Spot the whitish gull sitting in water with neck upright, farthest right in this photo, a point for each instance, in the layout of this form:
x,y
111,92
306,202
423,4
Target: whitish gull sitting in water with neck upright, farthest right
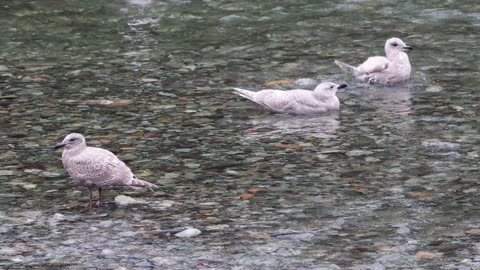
x,y
392,69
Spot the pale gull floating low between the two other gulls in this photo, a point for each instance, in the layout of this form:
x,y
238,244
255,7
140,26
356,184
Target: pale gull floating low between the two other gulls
x,y
298,101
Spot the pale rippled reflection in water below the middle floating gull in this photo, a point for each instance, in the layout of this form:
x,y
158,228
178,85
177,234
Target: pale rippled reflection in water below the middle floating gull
x,y
278,125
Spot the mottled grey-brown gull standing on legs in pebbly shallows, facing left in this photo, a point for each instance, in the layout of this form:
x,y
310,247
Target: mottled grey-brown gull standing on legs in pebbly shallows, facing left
x,y
94,167
